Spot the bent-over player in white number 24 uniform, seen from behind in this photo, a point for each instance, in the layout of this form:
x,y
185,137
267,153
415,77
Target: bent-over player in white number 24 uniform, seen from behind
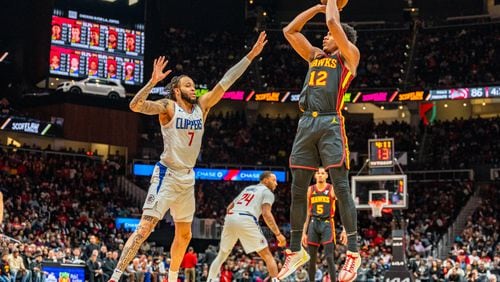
x,y
242,222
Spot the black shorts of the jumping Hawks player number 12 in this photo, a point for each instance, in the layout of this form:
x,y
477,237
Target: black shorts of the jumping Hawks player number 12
x,y
320,140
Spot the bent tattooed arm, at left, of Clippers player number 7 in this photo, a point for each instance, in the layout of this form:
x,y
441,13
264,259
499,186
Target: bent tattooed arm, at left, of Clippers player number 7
x,y
139,103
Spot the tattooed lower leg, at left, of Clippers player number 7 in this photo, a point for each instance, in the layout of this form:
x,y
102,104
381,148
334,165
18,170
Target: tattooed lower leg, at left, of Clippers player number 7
x,y
135,241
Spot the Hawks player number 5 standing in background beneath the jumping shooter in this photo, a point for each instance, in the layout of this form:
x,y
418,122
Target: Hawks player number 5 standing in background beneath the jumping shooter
x,y
319,228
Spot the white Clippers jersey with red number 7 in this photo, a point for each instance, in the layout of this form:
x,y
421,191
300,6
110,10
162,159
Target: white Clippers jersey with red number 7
x,y
182,138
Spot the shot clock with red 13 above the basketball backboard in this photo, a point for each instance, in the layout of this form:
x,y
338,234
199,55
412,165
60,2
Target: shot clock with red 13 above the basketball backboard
x,y
381,152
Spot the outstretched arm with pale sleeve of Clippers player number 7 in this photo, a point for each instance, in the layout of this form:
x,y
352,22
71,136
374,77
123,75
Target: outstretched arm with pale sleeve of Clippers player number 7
x,y
213,97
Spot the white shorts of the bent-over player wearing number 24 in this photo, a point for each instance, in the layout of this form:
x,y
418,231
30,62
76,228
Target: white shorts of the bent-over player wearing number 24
x,y
246,228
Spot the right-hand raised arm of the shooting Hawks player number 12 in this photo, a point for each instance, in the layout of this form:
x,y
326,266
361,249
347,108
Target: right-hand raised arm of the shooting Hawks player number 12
x,y
348,50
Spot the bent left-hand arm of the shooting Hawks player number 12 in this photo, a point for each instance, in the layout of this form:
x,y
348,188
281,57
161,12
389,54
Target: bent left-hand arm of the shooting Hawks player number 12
x,y
294,36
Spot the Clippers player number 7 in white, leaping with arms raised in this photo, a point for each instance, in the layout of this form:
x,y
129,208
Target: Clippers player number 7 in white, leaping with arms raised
x,y
182,118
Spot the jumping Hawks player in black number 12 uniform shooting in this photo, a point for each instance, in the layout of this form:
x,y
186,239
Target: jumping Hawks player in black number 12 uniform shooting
x,y
321,134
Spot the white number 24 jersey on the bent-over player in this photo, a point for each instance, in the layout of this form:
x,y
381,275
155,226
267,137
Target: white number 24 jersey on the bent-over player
x,y
251,199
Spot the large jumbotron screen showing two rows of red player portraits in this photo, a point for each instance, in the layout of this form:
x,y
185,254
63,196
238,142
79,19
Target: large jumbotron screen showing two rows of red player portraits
x,y
89,46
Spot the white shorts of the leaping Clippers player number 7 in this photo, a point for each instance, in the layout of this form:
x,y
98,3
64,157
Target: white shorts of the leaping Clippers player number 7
x,y
171,189
